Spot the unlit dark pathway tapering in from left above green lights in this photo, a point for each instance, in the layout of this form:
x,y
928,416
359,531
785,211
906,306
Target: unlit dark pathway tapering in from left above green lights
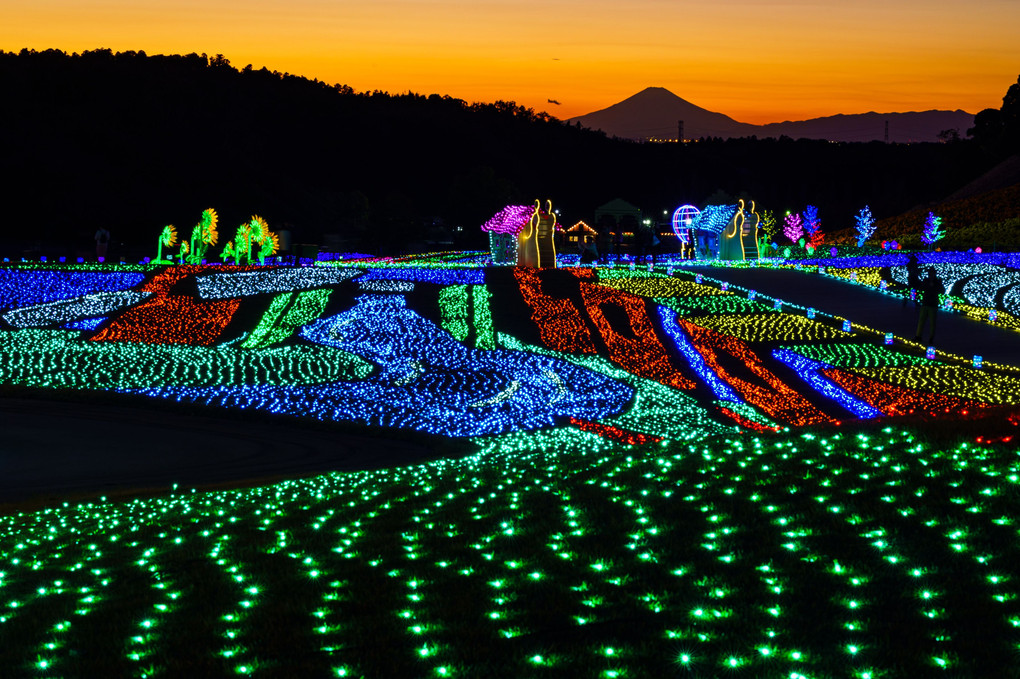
x,y
53,450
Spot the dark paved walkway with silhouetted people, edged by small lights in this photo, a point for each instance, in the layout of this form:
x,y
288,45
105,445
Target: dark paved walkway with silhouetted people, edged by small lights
x,y
955,333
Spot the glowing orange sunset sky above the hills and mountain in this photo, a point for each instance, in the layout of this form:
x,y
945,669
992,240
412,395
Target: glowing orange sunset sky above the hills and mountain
x,y
756,61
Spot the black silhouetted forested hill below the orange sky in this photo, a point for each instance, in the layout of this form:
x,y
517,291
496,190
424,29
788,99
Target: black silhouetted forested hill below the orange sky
x,y
134,142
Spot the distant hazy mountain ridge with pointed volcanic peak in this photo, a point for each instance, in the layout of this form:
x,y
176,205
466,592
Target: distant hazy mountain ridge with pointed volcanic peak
x,y
653,115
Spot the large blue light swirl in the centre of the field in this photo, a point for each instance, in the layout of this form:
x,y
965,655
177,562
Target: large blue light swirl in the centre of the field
x,y
427,381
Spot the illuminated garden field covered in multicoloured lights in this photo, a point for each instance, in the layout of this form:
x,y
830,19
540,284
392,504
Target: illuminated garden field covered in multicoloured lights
x,y
668,476
